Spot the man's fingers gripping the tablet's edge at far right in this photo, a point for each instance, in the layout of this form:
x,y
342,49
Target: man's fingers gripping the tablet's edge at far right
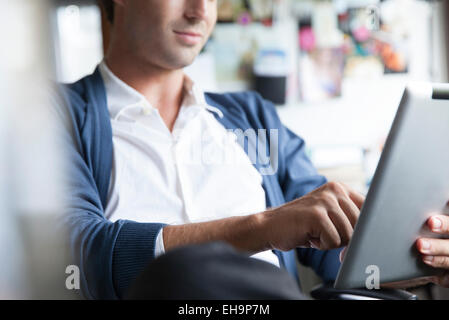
x,y
435,252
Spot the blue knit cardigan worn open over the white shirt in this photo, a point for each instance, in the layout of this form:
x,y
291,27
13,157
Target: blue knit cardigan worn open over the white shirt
x,y
111,255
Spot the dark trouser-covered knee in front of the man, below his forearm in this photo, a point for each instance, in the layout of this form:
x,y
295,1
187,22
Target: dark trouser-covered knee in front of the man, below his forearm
x,y
213,271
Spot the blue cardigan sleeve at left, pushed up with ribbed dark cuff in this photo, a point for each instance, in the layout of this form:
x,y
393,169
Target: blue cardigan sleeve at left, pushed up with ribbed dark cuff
x,y
109,255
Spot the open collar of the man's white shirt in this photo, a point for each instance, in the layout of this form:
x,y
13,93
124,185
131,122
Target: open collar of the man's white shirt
x,y
121,96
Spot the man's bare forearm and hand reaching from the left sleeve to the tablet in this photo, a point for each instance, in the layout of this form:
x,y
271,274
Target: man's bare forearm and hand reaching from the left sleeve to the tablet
x,y
323,219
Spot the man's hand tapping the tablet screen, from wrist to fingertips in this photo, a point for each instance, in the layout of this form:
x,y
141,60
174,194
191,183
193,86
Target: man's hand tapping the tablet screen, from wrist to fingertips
x,y
323,219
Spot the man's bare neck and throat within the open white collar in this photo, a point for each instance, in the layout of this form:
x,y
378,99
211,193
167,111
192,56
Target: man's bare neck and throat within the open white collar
x,y
162,88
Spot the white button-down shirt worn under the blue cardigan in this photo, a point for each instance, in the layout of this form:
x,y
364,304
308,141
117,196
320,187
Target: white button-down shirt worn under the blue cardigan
x,y
196,173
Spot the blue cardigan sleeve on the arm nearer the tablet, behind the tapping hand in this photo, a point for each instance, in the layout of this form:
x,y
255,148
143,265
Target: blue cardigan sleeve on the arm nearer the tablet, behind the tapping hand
x,y
297,177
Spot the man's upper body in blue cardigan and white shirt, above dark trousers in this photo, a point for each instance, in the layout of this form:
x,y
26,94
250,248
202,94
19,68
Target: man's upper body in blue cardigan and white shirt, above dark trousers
x,y
136,120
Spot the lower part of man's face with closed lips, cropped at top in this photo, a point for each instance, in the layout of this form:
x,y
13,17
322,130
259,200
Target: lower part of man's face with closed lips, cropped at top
x,y
167,33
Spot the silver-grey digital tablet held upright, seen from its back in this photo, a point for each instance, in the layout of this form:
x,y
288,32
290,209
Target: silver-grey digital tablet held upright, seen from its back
x,y
411,183
